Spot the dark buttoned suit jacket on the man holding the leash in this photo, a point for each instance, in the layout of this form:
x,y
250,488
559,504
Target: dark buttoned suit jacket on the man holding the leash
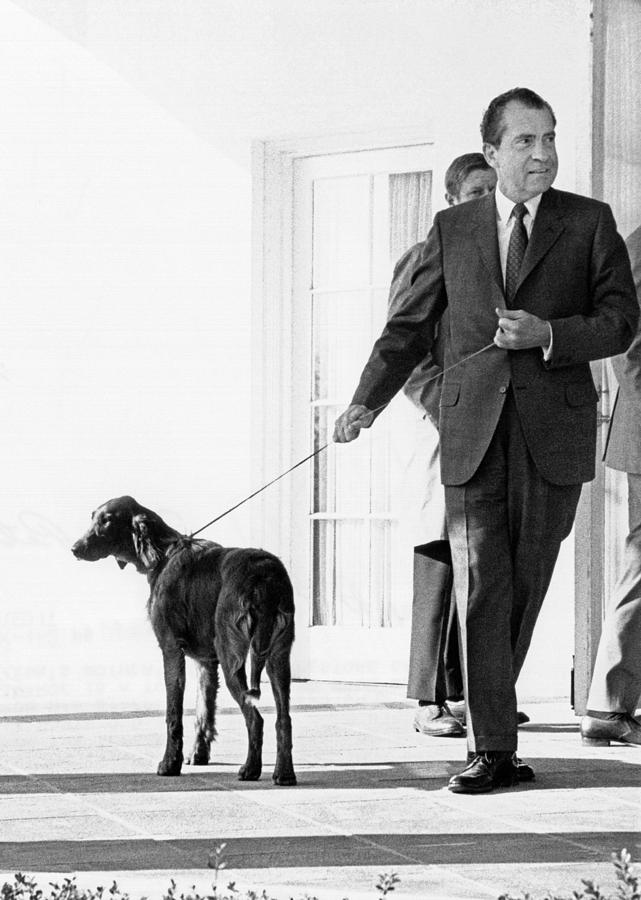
x,y
576,274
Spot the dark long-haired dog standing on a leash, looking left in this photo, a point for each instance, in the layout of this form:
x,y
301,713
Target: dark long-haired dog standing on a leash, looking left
x,y
216,605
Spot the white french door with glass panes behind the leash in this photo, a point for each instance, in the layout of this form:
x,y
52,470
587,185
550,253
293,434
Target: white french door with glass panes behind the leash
x,y
351,561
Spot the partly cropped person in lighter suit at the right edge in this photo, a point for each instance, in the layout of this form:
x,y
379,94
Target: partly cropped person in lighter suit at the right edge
x,y
615,690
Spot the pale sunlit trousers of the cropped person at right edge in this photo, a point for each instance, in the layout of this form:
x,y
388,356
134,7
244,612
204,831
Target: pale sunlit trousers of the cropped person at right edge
x,y
616,680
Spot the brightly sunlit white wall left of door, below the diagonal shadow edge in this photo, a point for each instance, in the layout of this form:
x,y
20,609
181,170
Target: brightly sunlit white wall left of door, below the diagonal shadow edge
x,y
124,278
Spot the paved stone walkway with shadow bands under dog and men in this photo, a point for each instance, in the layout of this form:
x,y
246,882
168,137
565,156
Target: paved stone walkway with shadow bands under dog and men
x,y
78,794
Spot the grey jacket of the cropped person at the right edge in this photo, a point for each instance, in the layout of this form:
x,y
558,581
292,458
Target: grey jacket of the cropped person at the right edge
x,y
623,448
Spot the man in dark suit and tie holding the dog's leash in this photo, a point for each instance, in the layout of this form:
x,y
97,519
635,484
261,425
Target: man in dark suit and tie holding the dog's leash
x,y
538,280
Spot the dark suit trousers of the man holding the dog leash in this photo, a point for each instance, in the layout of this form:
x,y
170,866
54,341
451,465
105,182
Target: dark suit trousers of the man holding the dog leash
x,y
505,527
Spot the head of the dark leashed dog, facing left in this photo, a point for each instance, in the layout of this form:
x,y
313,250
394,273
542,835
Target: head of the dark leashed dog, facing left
x,y
124,529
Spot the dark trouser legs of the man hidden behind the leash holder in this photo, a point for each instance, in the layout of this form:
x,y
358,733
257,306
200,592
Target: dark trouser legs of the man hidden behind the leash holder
x,y
434,669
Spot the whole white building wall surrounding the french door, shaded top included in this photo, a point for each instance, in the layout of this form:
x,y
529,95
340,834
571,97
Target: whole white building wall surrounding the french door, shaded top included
x,y
125,224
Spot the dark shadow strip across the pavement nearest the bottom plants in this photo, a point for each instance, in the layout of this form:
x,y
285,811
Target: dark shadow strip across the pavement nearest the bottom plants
x,y
316,851
